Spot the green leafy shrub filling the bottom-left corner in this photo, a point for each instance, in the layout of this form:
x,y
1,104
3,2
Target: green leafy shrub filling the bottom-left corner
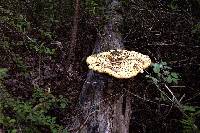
x,y
17,115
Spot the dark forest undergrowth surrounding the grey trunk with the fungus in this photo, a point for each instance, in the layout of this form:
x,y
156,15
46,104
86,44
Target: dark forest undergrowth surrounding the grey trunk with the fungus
x,y
38,93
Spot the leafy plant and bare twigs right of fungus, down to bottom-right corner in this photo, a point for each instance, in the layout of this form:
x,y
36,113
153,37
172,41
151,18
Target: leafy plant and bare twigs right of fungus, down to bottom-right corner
x,y
162,76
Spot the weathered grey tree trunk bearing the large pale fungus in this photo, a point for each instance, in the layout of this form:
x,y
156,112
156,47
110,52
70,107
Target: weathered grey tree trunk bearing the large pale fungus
x,y
102,115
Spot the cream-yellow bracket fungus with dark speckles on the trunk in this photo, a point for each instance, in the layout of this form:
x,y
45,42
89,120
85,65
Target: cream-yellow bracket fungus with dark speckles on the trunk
x,y
119,63
